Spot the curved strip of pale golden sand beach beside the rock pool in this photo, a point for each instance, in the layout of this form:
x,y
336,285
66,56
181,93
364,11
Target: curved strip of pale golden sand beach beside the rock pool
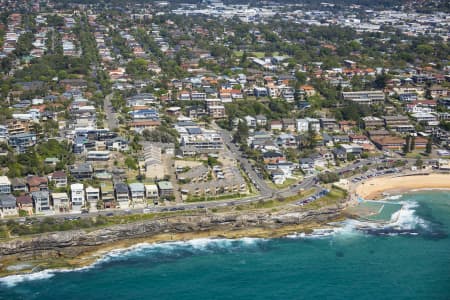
x,y
373,188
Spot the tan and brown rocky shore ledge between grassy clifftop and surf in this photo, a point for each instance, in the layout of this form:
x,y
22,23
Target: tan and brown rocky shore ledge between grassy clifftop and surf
x,y
83,249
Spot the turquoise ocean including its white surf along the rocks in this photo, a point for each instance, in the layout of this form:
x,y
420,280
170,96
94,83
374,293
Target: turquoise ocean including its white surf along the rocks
x,y
408,259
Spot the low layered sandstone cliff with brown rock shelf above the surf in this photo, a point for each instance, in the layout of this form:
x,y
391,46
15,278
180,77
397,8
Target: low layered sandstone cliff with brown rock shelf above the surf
x,y
78,243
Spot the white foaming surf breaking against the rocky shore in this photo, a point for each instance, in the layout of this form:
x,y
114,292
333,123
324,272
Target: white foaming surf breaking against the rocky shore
x,y
405,221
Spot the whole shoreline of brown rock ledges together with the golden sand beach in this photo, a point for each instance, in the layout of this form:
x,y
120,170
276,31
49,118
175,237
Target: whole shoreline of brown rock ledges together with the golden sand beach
x,y
69,251
